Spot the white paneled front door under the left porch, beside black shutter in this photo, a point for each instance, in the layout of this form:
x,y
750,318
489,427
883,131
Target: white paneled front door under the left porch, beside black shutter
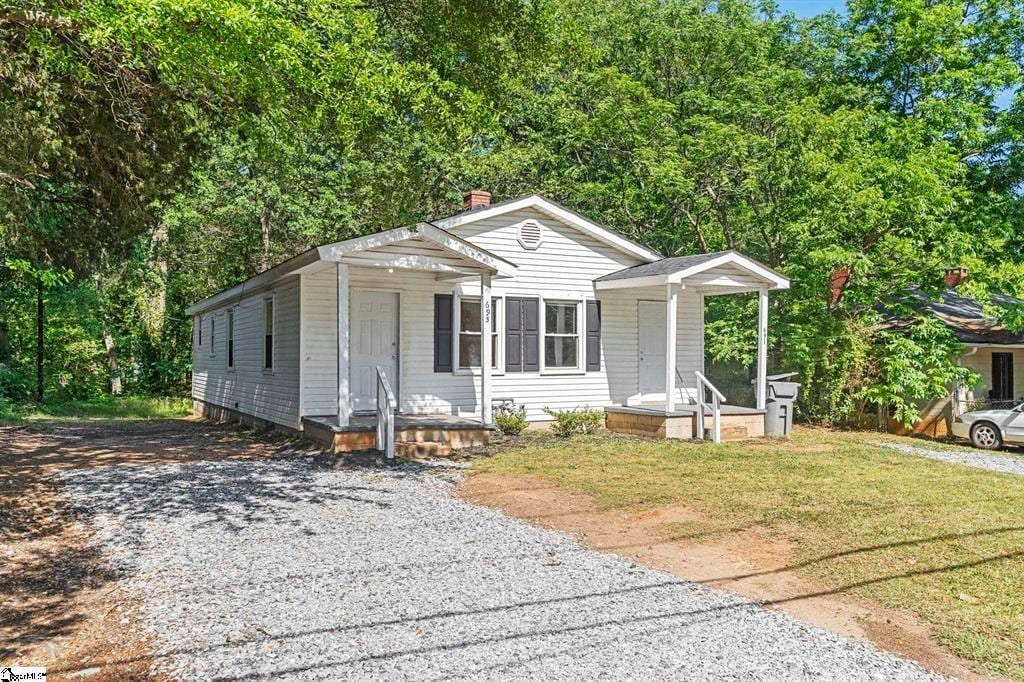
x,y
374,339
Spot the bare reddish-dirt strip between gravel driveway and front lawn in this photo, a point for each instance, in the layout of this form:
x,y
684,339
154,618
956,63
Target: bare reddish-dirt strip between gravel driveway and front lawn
x,y
748,562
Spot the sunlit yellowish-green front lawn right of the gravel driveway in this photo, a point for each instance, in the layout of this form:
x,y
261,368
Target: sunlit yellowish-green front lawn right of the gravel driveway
x,y
944,541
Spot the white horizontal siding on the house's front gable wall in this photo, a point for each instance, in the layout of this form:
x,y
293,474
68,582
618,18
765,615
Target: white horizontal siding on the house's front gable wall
x,y
563,269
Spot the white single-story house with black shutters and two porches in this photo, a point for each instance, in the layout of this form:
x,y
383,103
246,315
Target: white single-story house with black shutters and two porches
x,y
521,303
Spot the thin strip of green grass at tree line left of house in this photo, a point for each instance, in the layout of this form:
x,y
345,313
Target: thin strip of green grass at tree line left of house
x,y
120,409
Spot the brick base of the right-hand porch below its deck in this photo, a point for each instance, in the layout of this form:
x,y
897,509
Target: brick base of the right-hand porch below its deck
x,y
738,423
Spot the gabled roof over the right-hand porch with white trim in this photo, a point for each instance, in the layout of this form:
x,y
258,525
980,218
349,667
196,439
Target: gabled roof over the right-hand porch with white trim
x,y
726,272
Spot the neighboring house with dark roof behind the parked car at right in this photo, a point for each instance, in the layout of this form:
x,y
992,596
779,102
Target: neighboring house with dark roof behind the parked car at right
x,y
991,351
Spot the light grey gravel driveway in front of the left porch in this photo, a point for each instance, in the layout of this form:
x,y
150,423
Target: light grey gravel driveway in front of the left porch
x,y
292,570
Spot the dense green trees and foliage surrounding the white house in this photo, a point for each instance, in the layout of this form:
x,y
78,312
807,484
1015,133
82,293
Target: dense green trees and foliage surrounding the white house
x,y
157,153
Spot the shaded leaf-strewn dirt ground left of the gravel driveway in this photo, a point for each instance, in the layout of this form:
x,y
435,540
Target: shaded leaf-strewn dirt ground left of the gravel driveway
x,y
61,604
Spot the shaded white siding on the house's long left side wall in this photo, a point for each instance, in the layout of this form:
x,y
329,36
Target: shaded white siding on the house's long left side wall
x,y
247,389
